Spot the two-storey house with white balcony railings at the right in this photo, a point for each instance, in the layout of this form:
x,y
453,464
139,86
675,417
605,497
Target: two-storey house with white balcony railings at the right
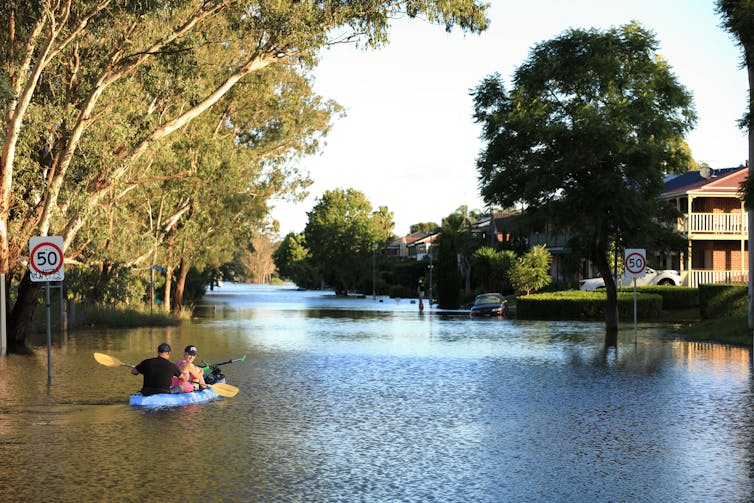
x,y
714,222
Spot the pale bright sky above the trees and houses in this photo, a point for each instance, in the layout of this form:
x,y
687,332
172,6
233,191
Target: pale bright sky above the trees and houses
x,y
409,141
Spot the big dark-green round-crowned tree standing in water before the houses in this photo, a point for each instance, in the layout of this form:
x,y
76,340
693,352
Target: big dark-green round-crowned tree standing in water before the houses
x,y
592,122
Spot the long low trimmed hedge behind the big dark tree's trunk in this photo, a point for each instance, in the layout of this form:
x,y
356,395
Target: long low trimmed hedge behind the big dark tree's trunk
x,y
578,305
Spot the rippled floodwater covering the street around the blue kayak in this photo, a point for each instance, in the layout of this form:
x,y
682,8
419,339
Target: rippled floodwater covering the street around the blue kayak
x,y
367,400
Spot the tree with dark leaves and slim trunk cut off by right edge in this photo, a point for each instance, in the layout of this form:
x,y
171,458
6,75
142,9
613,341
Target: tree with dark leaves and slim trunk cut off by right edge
x,y
738,19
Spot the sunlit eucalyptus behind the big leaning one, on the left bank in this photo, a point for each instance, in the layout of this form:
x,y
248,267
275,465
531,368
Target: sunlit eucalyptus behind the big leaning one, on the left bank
x,y
229,163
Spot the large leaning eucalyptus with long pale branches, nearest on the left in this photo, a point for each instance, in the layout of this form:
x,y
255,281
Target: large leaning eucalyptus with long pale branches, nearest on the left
x,y
63,59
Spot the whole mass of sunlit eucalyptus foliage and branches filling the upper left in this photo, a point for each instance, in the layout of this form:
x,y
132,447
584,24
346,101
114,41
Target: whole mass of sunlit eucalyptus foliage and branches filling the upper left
x,y
158,131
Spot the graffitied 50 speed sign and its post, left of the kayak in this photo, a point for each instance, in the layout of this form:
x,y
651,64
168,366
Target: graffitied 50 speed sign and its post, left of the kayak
x,y
46,265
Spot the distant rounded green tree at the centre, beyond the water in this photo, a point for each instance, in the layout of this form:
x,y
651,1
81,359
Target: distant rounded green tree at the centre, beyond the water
x,y
342,232
